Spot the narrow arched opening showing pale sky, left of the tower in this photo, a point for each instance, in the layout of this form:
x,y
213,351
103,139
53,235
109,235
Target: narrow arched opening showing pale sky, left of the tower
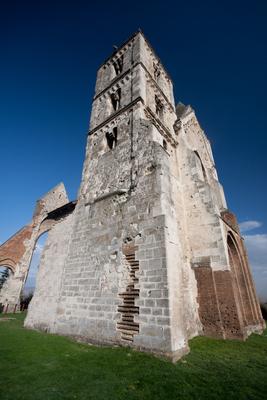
x,y
30,283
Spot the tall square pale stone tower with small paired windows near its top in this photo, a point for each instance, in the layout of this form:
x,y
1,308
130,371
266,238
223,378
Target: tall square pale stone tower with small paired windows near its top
x,y
127,199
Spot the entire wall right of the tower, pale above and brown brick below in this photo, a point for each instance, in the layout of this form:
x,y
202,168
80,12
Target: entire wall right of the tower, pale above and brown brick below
x,y
227,301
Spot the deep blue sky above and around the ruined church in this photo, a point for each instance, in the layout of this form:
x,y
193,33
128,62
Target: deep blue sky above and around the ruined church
x,y
214,51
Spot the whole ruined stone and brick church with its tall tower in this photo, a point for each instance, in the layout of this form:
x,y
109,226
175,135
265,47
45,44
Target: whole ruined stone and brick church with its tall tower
x,y
149,255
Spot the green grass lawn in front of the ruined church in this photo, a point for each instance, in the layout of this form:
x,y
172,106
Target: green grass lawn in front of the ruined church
x,y
36,365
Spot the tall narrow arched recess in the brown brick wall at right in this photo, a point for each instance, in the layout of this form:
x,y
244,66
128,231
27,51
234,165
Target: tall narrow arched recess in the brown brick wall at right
x,y
240,279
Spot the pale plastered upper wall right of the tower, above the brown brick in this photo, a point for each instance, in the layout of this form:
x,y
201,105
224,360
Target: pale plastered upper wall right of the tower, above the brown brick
x,y
203,196
